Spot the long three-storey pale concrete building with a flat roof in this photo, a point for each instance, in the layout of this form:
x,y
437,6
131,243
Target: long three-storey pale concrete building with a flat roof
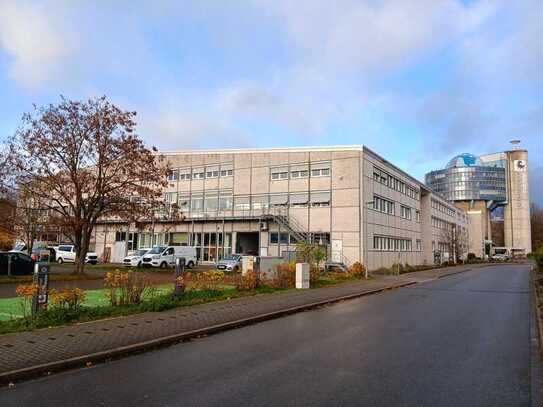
x,y
262,201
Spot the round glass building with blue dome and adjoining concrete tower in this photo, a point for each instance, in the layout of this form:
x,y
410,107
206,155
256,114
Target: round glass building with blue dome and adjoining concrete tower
x,y
481,184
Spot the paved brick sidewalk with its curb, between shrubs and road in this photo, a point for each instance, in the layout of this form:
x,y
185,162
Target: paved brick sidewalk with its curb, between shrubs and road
x,y
30,353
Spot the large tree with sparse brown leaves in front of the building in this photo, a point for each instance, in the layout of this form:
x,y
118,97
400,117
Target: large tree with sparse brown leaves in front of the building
x,y
85,163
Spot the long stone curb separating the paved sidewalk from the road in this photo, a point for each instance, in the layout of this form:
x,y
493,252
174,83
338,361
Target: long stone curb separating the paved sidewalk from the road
x,y
33,371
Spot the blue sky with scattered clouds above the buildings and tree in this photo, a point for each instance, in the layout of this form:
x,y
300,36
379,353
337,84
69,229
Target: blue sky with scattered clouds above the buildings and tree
x,y
417,81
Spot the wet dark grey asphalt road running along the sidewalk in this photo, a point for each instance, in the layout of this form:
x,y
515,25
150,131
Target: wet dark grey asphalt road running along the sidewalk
x,y
460,341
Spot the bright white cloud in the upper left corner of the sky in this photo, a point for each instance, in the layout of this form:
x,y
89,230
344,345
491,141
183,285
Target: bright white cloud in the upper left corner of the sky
x,y
32,36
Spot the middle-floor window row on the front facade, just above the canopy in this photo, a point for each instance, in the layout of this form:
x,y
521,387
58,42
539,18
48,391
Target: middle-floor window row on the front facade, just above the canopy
x,y
224,200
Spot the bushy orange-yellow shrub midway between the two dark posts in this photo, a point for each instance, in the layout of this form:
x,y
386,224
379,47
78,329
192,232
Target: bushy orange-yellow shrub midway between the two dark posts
x,y
127,288
